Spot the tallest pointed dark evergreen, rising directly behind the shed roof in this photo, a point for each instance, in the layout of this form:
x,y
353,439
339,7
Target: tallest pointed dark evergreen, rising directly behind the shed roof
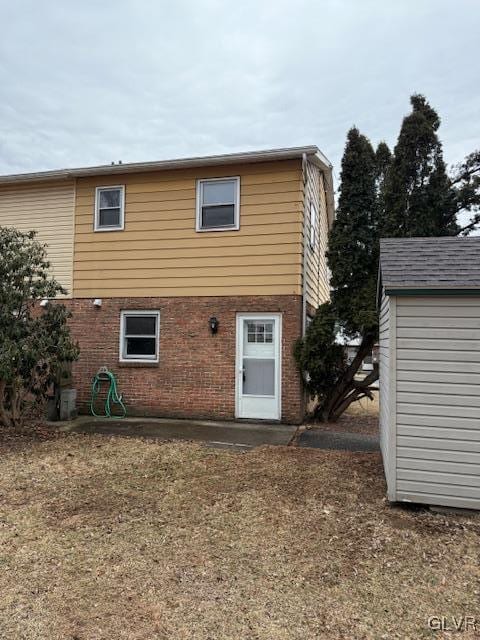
x,y
419,199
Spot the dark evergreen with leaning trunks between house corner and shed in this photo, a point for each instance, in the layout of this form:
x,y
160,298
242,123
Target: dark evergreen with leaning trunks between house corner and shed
x,y
353,261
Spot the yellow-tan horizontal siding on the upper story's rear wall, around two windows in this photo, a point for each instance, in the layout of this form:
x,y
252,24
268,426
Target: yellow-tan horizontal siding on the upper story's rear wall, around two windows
x,y
160,253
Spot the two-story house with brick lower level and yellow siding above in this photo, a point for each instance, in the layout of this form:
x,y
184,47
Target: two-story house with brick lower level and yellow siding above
x,y
190,279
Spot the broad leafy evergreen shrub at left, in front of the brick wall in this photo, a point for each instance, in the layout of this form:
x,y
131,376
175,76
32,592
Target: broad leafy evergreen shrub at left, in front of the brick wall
x,y
33,344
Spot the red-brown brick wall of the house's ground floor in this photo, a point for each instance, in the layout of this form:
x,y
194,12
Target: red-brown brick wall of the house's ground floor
x,y
195,377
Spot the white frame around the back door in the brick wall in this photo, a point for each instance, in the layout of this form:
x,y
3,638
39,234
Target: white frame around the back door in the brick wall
x,y
240,317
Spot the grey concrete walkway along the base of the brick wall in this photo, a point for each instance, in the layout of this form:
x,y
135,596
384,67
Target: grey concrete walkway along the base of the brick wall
x,y
231,435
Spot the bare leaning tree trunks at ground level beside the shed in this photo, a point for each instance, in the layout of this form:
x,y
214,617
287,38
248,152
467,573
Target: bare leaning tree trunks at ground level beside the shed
x,y
348,389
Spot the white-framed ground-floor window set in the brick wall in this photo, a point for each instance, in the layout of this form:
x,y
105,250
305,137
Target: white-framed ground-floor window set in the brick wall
x,y
139,336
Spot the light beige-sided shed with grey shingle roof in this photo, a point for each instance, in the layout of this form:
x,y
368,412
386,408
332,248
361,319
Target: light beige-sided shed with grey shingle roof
x,y
429,301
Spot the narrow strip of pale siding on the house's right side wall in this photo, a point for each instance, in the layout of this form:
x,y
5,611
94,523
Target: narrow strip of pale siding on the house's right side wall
x,y
316,279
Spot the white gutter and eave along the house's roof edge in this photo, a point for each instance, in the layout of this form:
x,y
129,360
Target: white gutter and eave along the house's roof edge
x,y
290,153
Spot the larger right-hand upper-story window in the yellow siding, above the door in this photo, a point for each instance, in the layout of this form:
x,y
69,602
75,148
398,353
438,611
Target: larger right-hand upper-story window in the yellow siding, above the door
x,y
218,204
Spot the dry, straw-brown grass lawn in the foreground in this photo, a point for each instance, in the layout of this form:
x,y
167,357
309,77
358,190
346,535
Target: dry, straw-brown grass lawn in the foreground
x,y
119,538
